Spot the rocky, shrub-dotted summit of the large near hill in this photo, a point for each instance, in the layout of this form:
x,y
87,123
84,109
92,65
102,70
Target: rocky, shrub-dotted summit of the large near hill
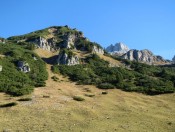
x,y
68,42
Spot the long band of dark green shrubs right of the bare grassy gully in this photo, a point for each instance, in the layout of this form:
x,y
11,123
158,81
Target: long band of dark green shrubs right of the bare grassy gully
x,y
136,77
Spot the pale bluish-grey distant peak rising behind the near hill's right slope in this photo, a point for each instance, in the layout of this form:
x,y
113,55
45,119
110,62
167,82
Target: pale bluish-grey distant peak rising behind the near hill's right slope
x,y
117,49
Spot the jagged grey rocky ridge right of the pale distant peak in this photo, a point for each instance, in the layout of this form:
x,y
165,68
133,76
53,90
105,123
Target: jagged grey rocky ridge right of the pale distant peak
x,y
145,56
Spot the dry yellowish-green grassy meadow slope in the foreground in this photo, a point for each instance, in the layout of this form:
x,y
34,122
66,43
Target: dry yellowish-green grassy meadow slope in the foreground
x,y
116,111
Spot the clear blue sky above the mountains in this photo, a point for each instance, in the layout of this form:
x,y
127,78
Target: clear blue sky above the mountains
x,y
140,24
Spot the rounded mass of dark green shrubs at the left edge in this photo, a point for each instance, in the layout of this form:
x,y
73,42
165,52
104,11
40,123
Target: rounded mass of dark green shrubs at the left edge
x,y
15,82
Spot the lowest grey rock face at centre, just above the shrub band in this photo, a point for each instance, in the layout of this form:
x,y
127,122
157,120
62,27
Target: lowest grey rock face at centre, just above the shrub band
x,y
64,59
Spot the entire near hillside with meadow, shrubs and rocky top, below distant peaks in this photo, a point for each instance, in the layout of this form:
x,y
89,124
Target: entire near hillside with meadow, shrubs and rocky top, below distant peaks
x,y
56,79
